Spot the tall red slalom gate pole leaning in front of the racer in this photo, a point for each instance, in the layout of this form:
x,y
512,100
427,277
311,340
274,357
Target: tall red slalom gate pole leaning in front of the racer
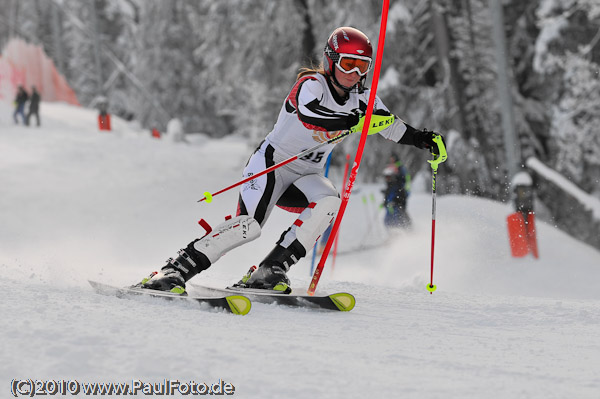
x,y
359,152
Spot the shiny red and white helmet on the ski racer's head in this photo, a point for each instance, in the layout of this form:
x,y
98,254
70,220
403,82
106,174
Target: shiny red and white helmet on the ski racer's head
x,y
345,40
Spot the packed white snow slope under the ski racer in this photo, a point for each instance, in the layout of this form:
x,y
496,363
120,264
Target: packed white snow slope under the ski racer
x,y
80,204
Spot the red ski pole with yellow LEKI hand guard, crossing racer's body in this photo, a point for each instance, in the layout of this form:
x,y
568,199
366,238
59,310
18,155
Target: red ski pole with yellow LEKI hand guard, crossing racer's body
x,y
379,122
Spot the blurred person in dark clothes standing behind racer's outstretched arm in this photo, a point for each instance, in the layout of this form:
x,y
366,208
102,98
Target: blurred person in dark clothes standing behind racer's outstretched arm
x,y
395,194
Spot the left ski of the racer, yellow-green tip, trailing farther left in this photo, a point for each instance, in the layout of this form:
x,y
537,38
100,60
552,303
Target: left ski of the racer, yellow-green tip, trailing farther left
x,y
234,303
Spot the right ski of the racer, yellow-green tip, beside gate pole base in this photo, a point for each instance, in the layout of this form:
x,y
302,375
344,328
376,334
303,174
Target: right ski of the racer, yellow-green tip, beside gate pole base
x,y
340,301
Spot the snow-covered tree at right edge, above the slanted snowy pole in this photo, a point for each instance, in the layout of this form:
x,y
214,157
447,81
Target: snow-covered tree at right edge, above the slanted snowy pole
x,y
572,58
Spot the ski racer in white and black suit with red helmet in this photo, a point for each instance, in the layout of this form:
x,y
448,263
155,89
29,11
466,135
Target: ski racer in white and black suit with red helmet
x,y
323,103
